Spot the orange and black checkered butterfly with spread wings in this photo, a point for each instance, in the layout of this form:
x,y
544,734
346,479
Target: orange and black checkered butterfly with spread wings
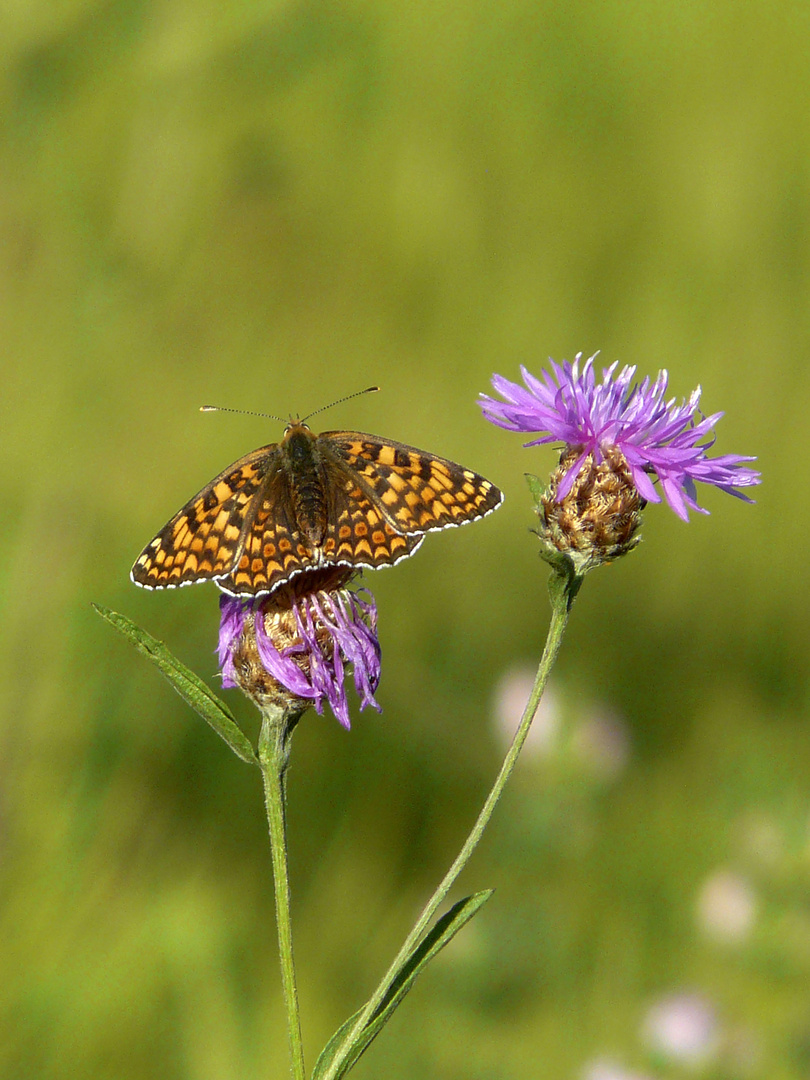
x,y
309,504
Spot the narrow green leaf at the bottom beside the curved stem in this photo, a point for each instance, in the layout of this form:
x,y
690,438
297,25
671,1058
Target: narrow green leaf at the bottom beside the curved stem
x,y
435,941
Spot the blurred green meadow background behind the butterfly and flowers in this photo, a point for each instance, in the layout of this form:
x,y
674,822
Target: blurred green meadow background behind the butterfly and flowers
x,y
269,206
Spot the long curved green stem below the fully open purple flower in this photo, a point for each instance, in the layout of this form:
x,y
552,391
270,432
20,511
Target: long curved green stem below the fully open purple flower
x,y
563,590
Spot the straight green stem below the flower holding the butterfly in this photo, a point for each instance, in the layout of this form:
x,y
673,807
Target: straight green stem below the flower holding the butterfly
x,y
274,752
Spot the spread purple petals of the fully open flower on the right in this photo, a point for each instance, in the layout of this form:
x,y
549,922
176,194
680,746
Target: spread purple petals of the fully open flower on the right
x,y
655,437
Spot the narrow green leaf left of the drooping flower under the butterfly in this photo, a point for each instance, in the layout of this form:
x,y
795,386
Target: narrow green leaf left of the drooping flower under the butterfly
x,y
186,683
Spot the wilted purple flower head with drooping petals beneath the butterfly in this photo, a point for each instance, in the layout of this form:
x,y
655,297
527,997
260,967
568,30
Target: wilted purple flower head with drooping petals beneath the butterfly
x,y
293,651
